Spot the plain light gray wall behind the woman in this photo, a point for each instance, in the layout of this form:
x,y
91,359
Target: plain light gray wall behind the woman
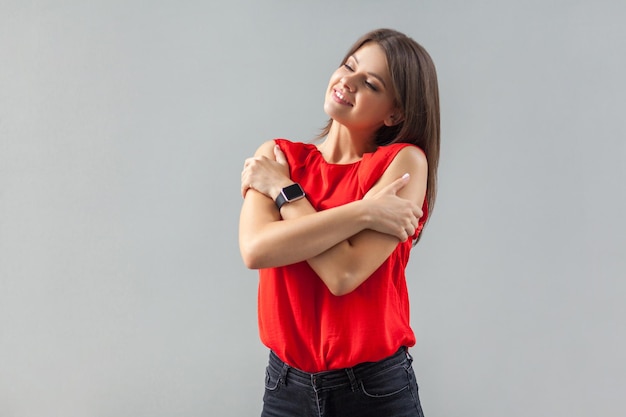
x,y
123,129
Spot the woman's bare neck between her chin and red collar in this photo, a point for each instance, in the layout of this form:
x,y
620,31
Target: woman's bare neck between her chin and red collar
x,y
344,146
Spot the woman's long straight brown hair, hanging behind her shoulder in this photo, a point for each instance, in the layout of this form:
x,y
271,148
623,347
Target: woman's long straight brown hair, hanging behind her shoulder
x,y
414,80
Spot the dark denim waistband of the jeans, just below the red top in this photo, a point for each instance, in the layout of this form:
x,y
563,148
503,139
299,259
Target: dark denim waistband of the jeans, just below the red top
x,y
334,378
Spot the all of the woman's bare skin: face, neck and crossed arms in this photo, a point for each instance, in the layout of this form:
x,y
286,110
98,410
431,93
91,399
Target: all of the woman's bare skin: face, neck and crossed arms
x,y
346,244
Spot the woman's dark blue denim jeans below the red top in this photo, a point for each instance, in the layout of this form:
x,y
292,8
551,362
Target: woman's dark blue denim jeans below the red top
x,y
378,389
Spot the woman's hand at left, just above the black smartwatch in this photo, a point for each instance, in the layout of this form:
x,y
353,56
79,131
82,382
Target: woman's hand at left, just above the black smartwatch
x,y
266,175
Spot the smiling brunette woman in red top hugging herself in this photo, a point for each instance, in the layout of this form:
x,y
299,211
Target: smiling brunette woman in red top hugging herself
x,y
330,228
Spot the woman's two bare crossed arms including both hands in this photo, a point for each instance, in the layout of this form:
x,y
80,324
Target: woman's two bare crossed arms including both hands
x,y
336,242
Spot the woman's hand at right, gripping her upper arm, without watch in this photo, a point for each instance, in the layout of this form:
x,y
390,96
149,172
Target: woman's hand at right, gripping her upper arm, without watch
x,y
391,214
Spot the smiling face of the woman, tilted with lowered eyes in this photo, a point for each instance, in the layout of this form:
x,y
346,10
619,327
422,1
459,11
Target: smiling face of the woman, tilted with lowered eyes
x,y
360,94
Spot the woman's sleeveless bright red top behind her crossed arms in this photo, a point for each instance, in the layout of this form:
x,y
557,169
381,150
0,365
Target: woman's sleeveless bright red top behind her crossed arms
x,y
307,326
